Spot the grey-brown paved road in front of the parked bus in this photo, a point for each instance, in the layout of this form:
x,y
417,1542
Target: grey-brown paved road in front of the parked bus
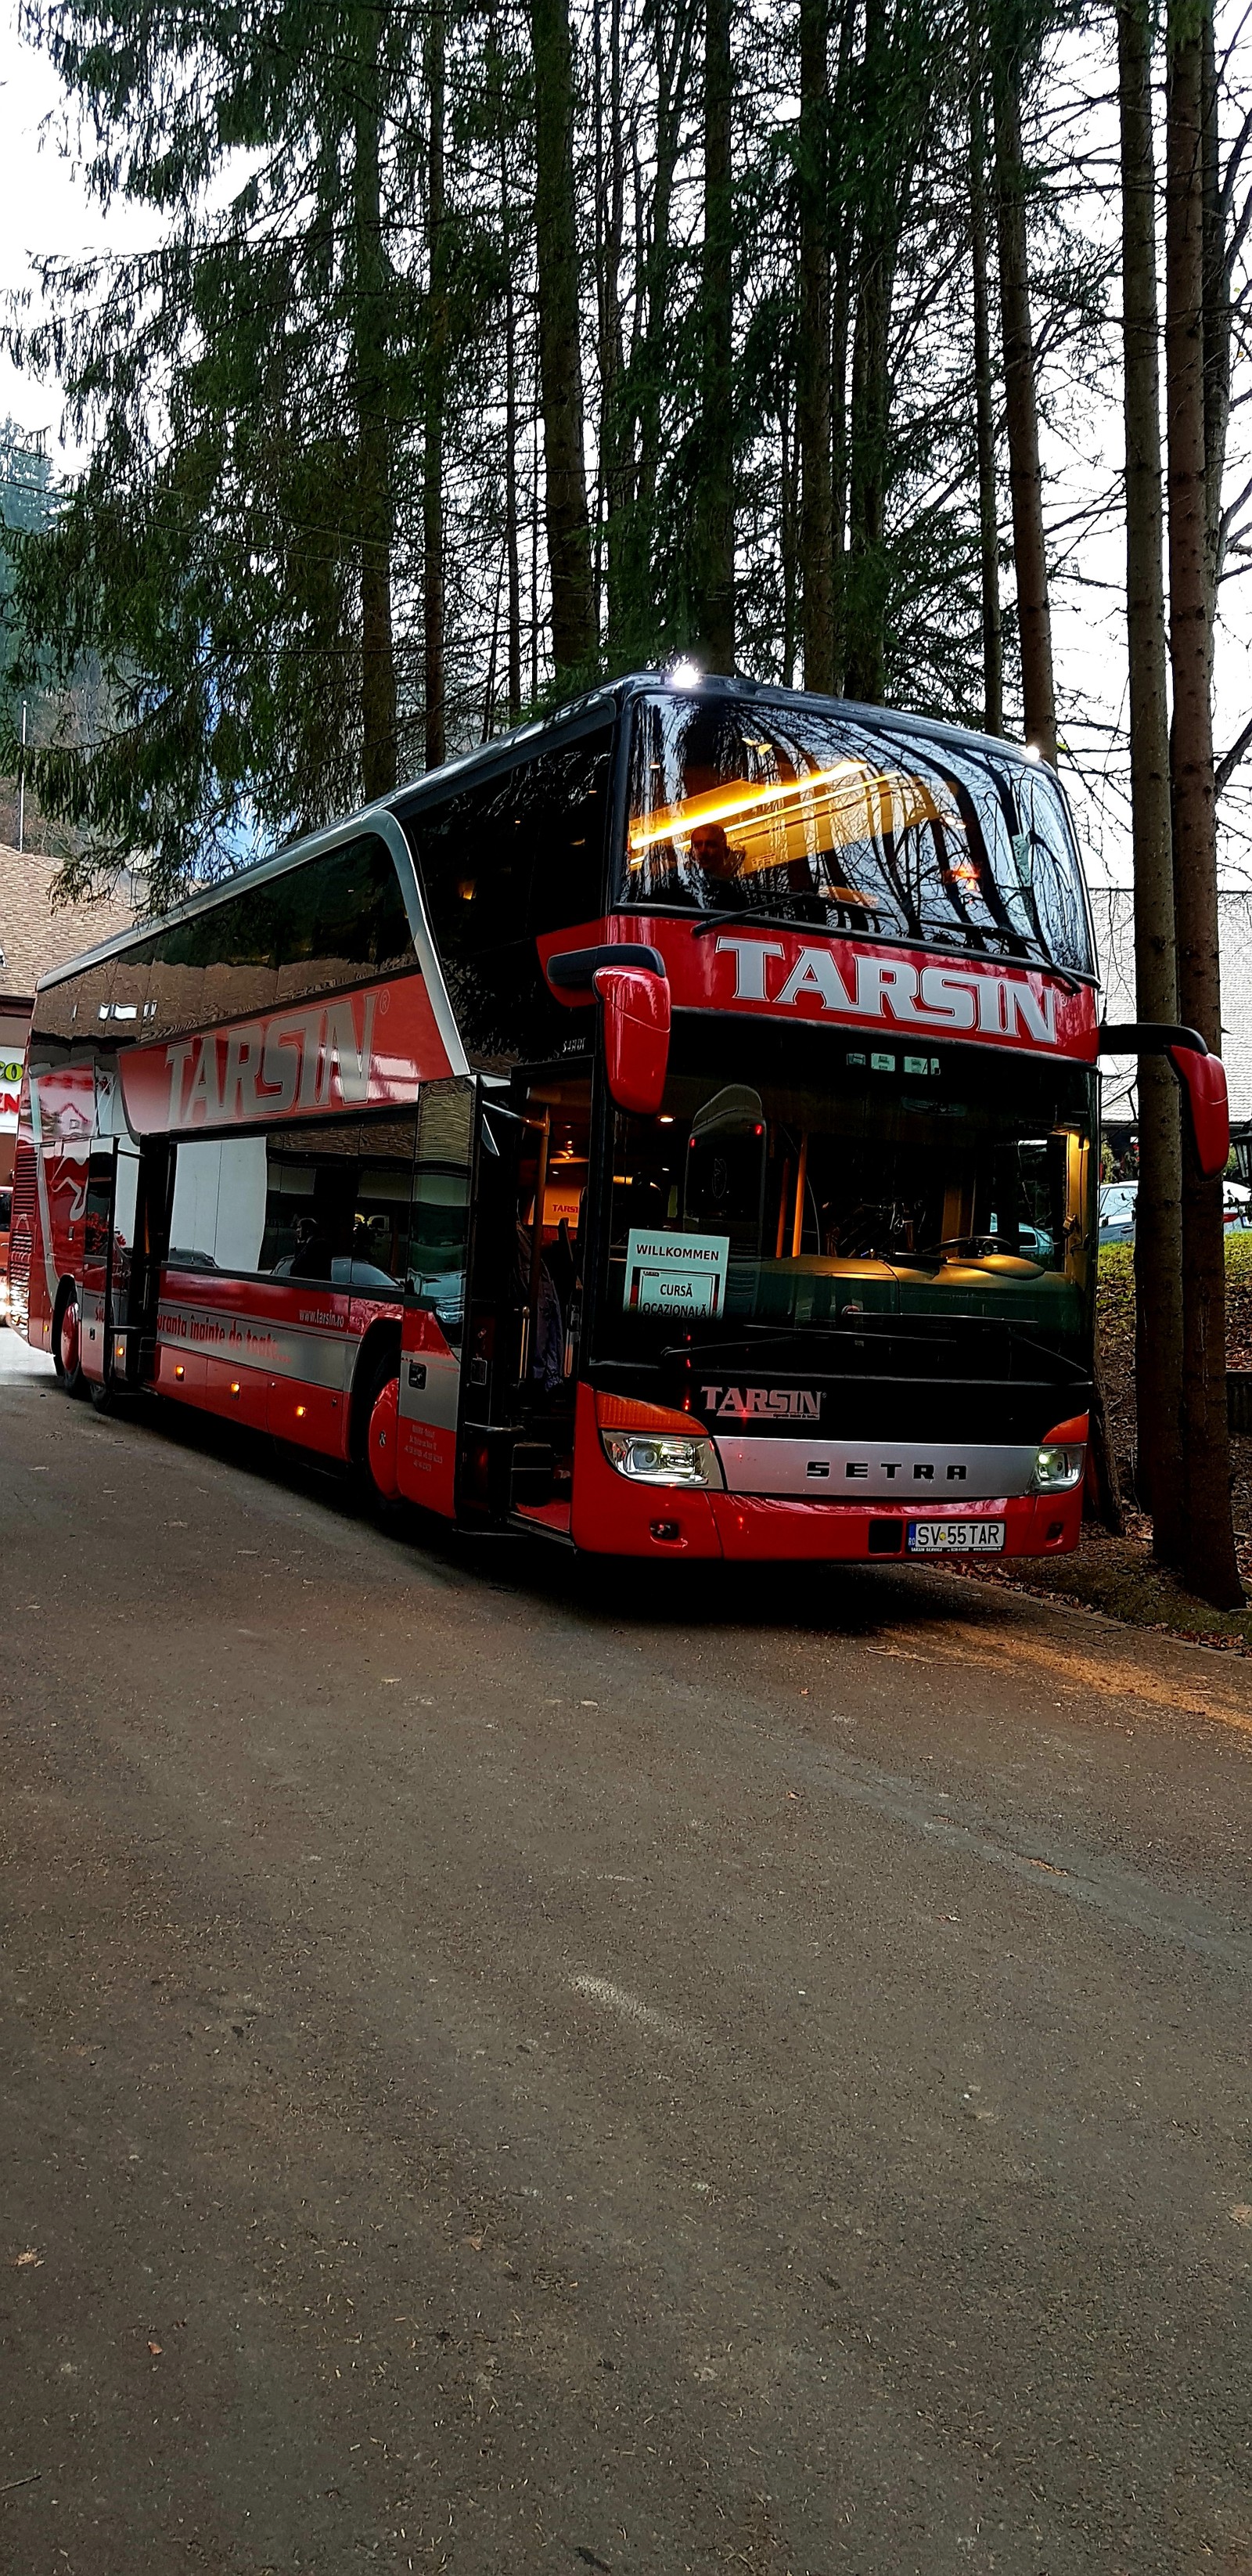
x,y
522,2070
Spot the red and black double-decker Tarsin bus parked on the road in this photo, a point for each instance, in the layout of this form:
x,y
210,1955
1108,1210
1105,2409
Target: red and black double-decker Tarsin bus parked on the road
x,y
671,1130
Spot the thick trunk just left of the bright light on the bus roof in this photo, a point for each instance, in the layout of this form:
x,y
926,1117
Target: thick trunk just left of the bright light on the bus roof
x,y
560,354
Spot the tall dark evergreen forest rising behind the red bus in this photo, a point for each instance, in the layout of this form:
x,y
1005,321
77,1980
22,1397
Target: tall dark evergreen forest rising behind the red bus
x,y
465,352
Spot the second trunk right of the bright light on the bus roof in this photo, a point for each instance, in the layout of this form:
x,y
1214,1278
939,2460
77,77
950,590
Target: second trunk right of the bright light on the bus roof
x,y
813,375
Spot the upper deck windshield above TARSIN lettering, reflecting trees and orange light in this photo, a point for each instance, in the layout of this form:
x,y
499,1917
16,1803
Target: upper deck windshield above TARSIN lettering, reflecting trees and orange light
x,y
849,826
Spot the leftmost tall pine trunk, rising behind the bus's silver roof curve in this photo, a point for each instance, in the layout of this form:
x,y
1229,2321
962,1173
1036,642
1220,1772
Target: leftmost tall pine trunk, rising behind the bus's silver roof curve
x,y
372,426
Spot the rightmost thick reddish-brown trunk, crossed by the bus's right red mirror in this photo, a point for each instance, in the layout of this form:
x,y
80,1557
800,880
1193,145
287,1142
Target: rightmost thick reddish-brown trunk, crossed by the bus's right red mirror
x,y
1209,1567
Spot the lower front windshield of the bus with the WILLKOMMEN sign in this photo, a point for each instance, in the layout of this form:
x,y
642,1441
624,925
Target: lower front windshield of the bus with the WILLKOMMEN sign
x,y
797,1189
